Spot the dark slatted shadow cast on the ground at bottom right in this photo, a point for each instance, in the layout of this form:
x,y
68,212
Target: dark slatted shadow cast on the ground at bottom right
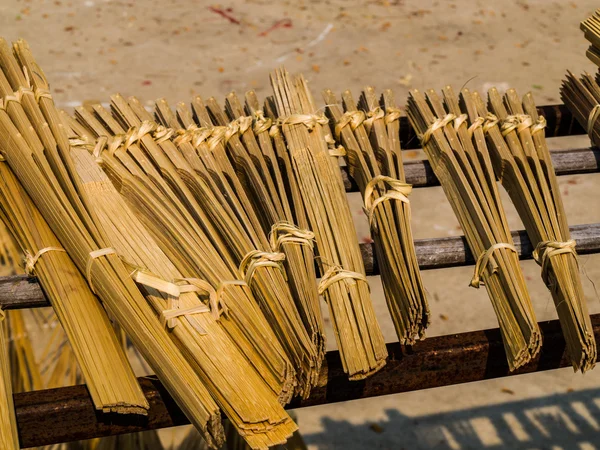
x,y
558,422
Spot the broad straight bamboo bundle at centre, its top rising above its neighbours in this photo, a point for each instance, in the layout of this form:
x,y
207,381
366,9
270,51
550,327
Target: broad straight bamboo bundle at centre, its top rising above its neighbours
x,y
343,281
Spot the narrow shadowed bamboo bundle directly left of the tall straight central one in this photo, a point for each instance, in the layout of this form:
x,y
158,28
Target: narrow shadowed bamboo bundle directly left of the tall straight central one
x,y
253,156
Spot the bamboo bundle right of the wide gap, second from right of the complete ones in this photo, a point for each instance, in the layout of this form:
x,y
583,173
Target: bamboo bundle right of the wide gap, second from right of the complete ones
x,y
459,157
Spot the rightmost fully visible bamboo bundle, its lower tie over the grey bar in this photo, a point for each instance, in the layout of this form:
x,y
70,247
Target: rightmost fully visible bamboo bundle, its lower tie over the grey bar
x,y
523,164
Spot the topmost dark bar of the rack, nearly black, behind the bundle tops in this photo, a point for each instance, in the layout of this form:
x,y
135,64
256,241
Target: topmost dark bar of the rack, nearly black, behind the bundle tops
x,y
560,122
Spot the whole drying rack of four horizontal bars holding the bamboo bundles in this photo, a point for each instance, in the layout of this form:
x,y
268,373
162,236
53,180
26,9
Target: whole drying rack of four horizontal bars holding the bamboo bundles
x,y
66,414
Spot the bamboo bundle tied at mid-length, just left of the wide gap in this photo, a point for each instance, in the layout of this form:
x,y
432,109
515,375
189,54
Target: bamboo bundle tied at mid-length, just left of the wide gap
x,y
374,158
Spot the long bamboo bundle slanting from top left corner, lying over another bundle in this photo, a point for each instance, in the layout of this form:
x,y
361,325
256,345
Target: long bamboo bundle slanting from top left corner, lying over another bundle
x,y
47,173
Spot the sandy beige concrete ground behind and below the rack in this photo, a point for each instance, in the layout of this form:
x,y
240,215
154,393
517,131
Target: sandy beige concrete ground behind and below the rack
x,y
174,49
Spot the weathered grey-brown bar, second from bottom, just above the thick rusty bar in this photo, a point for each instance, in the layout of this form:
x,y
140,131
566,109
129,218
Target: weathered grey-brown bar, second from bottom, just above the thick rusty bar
x,y
20,291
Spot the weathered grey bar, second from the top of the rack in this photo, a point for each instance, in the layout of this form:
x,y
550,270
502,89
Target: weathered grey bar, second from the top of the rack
x,y
566,162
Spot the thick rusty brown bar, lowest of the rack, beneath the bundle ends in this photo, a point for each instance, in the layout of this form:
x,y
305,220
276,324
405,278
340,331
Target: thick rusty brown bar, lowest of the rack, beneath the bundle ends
x,y
67,414
